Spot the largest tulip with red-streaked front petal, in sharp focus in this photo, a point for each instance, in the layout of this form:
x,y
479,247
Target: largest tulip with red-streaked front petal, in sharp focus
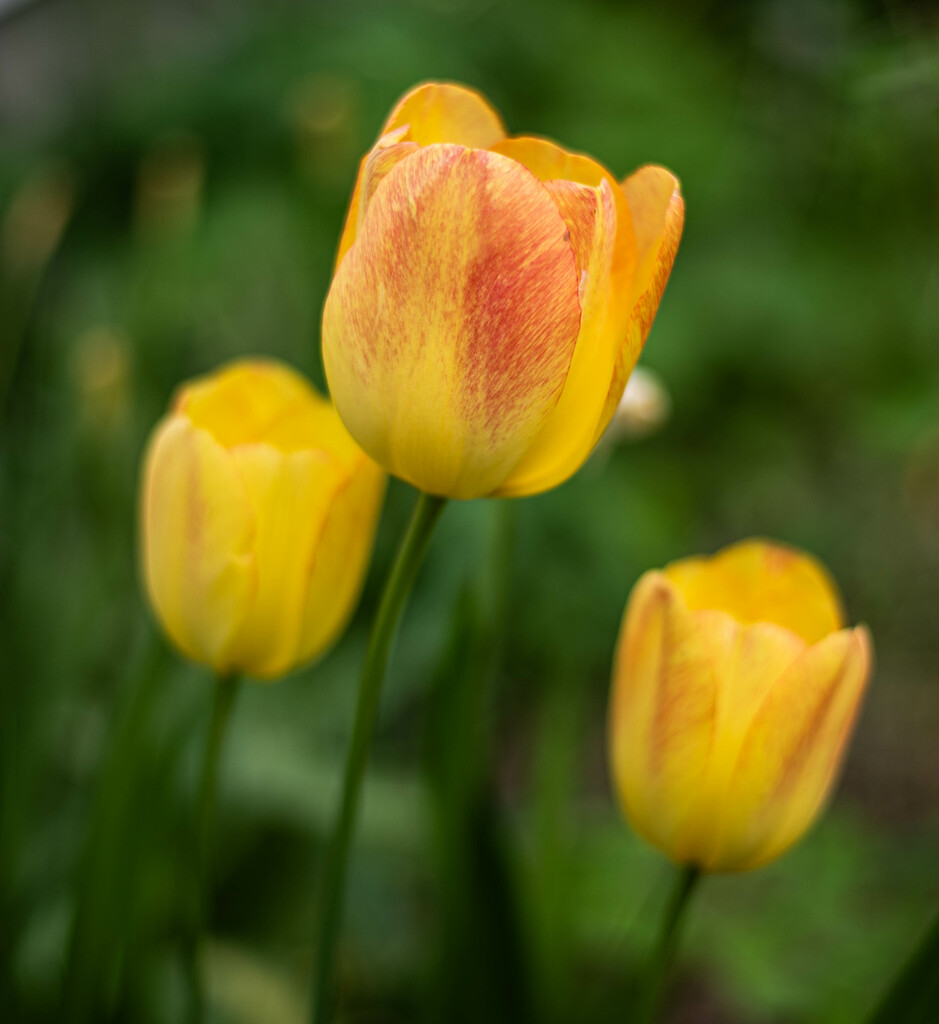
x,y
491,298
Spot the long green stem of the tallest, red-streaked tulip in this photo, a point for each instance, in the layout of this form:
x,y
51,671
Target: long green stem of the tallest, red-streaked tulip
x,y
332,889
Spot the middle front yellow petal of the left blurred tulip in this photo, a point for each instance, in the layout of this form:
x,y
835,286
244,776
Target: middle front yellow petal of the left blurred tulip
x,y
292,495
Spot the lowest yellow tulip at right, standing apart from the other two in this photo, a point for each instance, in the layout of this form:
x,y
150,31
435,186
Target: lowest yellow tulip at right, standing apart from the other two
x,y
736,691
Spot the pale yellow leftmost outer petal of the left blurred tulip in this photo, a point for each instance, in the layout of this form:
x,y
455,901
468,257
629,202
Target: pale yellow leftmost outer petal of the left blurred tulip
x,y
198,541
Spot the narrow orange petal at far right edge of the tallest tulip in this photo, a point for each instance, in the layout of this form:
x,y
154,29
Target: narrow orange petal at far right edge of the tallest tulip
x,y
659,216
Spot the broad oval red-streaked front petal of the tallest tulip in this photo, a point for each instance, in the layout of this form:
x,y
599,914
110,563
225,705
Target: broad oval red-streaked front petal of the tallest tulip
x,y
453,319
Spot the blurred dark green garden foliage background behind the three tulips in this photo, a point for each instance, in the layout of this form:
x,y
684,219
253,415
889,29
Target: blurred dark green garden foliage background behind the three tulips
x,y
174,179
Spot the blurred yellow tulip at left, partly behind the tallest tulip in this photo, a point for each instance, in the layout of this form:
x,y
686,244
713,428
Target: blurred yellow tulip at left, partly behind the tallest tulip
x,y
259,513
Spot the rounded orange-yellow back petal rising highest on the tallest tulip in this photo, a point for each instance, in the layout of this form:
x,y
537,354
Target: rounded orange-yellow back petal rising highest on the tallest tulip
x,y
437,112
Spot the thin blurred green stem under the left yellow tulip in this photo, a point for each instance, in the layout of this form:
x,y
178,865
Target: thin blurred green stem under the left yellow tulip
x,y
223,702
